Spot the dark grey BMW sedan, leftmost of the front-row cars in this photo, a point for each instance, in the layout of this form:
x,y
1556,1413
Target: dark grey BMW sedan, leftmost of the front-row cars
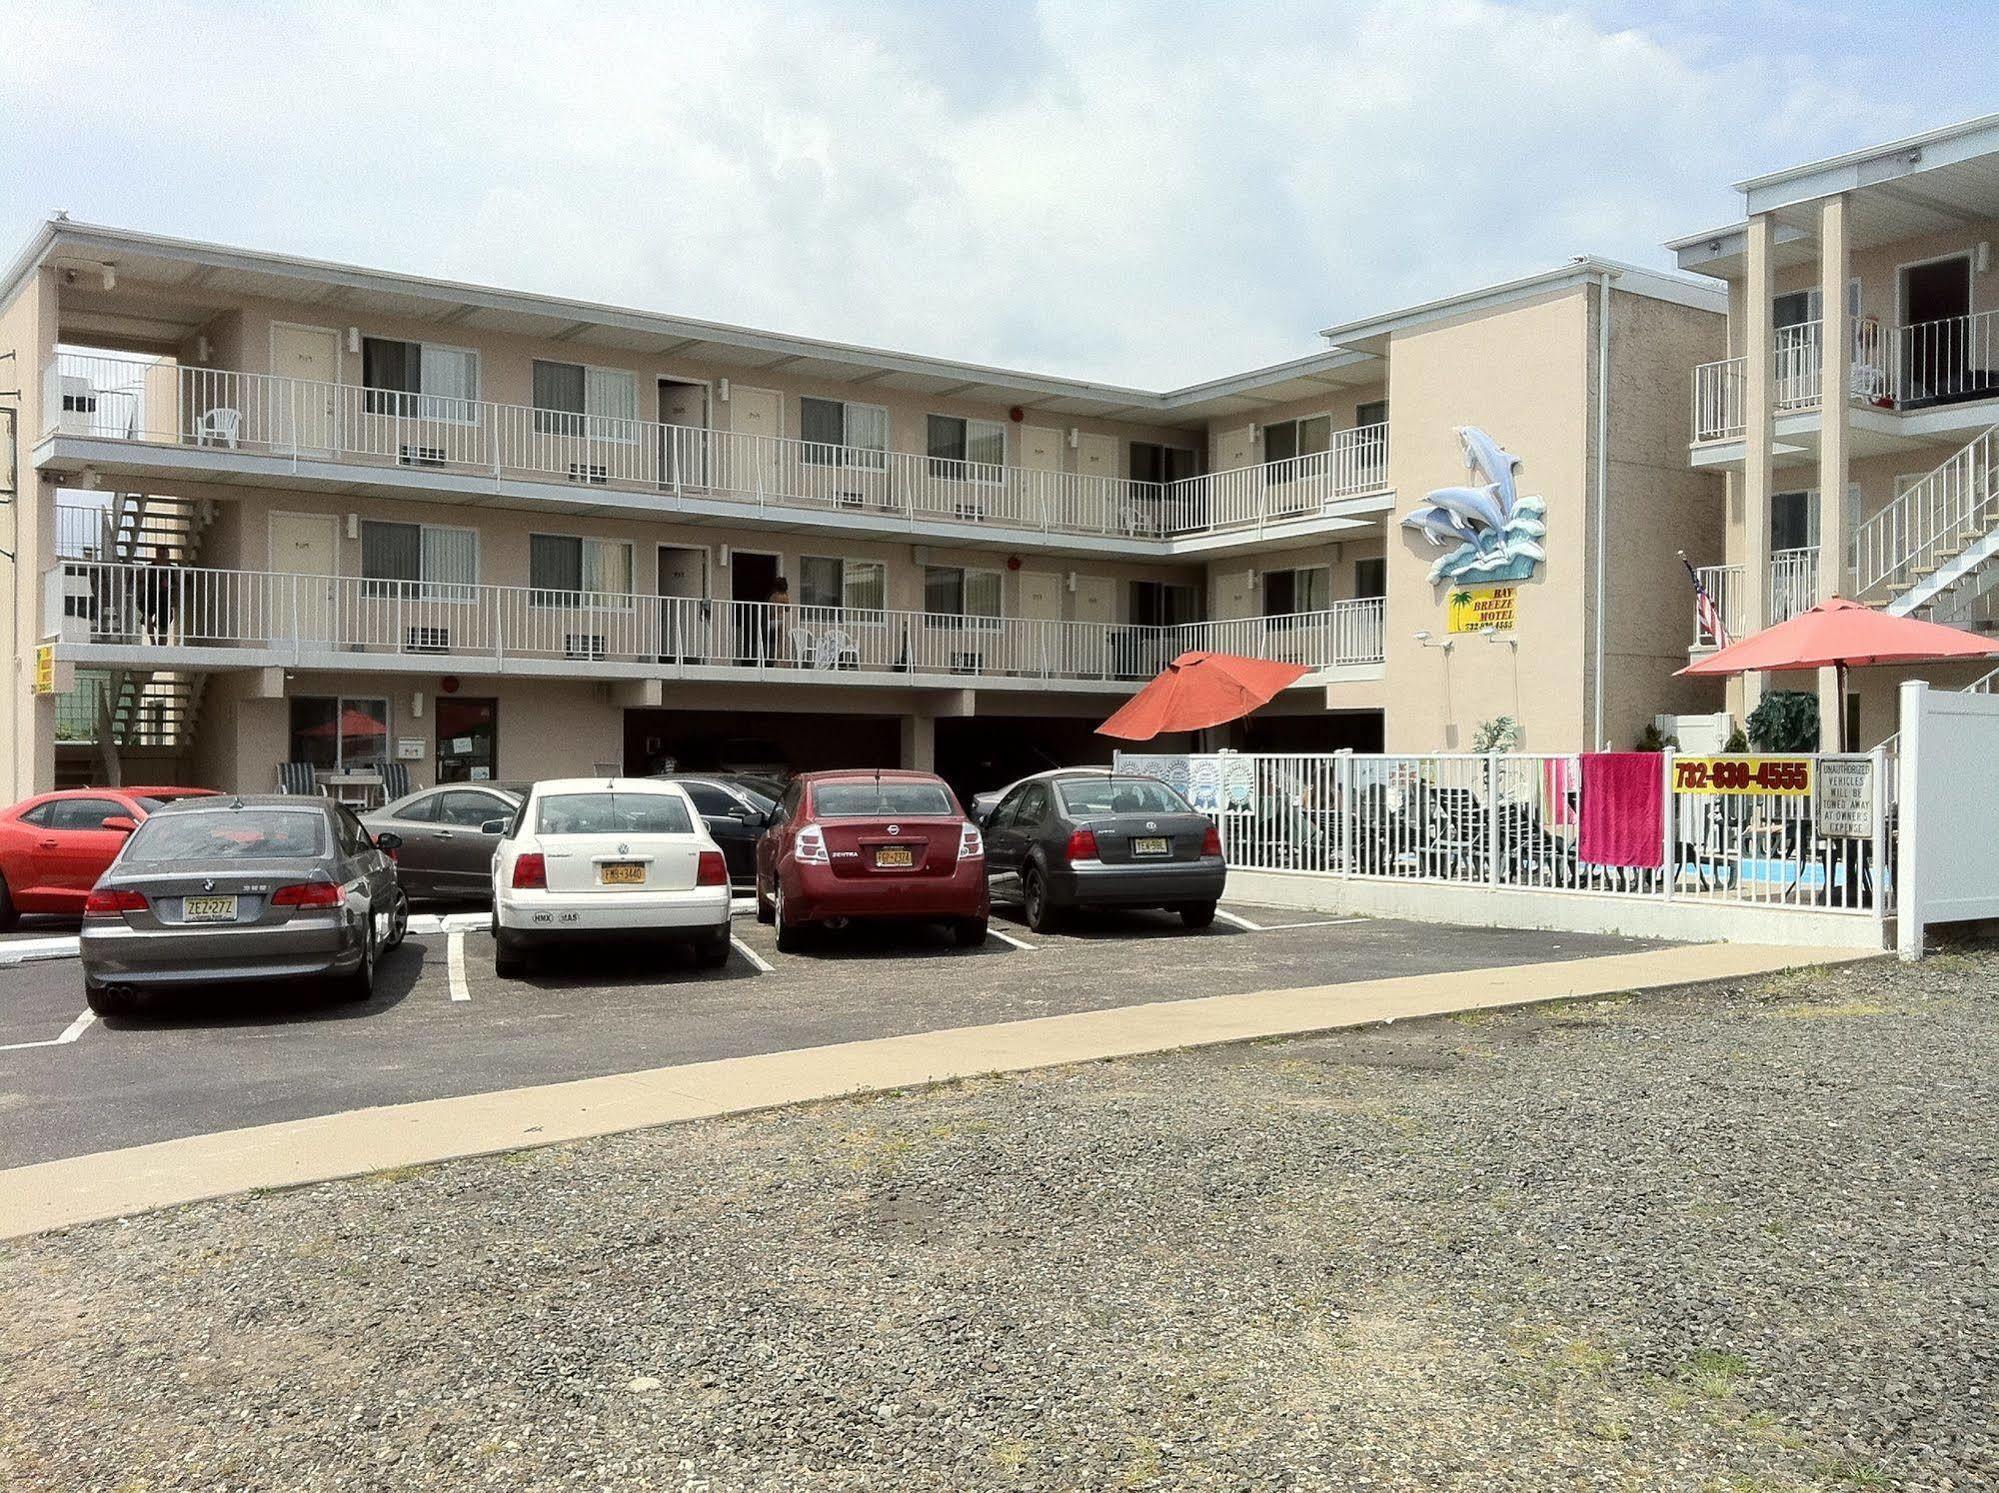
x,y
221,890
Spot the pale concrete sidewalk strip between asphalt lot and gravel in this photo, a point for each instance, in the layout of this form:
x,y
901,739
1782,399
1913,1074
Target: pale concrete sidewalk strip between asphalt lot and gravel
x,y
113,1184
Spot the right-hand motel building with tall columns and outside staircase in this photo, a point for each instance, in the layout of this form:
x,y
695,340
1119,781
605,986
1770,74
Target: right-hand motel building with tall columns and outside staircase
x,y
1856,415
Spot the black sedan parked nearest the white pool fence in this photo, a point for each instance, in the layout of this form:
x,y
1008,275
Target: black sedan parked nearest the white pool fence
x,y
1096,838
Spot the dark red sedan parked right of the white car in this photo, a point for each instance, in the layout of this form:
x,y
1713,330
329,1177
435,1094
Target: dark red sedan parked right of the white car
x,y
871,844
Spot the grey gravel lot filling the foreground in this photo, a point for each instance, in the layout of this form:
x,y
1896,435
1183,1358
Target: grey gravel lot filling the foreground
x,y
1714,1240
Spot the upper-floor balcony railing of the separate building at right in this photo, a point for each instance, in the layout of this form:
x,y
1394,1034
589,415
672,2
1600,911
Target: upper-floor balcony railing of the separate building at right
x,y
1908,369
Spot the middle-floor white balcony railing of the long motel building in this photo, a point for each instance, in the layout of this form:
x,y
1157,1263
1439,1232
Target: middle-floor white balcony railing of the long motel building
x,y
185,607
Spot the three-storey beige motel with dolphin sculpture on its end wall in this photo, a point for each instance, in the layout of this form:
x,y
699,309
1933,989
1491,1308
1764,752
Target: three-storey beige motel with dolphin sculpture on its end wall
x,y
277,513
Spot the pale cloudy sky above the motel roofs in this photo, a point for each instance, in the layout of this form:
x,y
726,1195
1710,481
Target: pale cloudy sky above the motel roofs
x,y
1140,193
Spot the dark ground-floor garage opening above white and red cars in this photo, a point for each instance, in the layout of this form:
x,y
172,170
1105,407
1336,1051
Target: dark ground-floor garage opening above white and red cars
x,y
753,741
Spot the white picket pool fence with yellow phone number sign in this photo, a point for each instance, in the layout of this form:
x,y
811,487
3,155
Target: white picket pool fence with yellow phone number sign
x,y
1738,830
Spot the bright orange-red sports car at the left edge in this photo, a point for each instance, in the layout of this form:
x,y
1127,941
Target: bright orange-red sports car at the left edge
x,y
55,846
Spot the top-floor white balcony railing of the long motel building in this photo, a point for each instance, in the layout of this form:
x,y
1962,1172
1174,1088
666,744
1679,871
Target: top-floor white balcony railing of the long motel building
x,y
123,399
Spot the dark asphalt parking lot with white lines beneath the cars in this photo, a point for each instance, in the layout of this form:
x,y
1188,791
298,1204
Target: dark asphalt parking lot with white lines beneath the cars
x,y
443,1024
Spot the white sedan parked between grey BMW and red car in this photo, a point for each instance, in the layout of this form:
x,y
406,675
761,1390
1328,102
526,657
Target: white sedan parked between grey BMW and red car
x,y
597,858
